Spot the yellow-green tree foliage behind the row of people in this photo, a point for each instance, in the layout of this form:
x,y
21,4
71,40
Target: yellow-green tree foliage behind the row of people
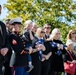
x,y
44,11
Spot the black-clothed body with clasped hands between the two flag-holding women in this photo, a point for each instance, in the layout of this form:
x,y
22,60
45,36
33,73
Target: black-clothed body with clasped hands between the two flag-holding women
x,y
46,62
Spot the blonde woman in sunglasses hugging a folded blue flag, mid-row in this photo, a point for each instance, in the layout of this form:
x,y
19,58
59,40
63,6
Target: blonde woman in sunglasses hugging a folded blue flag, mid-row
x,y
37,56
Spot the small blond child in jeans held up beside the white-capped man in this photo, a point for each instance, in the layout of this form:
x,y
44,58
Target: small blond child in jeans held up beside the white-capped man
x,y
28,37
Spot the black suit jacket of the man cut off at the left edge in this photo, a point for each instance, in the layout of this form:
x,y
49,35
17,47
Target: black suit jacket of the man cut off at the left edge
x,y
3,38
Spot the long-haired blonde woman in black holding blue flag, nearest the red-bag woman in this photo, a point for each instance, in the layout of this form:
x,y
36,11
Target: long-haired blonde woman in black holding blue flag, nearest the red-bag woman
x,y
58,50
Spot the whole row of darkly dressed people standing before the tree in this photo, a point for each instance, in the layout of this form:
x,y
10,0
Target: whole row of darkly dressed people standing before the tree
x,y
33,50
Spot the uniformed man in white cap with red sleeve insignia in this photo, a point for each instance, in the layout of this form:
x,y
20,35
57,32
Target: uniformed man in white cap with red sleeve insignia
x,y
19,46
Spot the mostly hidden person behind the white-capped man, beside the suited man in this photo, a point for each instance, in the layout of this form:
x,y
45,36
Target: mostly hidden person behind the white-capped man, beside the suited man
x,y
7,62
